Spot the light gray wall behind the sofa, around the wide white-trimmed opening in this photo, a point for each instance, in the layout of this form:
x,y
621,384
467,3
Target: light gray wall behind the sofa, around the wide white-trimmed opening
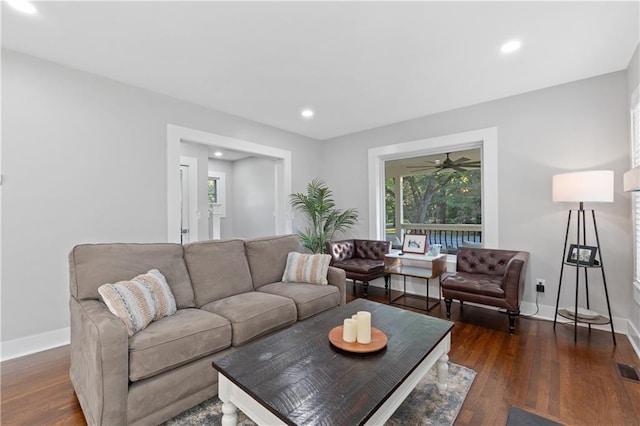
x,y
84,161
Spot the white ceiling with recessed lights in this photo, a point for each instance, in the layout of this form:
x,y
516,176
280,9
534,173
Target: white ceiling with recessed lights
x,y
359,65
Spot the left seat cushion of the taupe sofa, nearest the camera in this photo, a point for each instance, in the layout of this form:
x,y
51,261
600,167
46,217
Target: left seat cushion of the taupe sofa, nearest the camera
x,y
187,335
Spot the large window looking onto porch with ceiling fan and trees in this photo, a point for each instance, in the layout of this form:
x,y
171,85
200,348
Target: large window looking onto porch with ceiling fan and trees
x,y
439,195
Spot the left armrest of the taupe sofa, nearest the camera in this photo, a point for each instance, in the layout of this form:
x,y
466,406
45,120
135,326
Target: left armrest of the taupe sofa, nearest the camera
x,y
99,362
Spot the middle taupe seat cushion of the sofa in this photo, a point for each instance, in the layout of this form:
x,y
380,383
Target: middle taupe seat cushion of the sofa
x,y
254,314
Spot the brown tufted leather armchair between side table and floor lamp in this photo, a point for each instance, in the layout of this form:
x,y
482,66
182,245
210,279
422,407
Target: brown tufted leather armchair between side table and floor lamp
x,y
489,277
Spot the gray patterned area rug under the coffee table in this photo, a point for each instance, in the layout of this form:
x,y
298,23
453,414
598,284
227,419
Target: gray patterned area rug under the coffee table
x,y
424,405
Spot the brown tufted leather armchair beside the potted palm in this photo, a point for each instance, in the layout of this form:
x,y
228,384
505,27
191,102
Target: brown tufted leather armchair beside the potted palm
x,y
362,260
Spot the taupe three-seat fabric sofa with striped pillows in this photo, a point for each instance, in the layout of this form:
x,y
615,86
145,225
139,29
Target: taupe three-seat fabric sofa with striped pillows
x,y
227,294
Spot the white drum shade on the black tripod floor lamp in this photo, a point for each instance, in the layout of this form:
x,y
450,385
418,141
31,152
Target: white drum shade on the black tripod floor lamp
x,y
589,186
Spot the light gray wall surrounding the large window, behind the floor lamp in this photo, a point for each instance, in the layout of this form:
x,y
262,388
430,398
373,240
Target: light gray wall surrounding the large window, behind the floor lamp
x,y
578,126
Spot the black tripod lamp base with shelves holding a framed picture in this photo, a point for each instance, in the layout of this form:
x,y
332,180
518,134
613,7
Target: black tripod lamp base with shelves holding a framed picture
x,y
577,261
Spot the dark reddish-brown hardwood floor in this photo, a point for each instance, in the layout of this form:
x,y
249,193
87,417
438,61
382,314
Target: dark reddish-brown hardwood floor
x,y
535,369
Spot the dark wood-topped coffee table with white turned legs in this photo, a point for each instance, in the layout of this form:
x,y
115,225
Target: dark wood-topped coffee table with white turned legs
x,y
297,377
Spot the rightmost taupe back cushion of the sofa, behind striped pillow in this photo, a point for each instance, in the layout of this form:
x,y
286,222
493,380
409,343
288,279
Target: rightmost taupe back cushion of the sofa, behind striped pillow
x,y
267,257
